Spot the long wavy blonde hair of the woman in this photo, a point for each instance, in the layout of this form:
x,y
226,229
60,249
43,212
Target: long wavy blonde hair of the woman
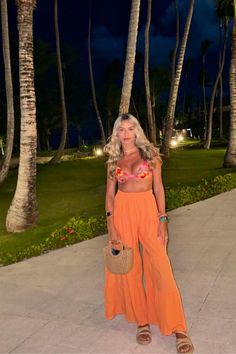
x,y
114,150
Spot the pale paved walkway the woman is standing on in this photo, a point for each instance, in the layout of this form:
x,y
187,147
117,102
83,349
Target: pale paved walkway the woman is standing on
x,y
54,303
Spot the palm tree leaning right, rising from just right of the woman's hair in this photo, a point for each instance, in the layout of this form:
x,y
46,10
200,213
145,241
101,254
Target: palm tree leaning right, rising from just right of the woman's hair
x,y
173,95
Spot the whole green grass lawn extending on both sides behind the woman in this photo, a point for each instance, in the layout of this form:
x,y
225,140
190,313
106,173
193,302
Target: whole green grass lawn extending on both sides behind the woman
x,y
77,188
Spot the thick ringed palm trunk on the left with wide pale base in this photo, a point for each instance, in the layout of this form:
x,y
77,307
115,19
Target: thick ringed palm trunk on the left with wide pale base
x,y
23,213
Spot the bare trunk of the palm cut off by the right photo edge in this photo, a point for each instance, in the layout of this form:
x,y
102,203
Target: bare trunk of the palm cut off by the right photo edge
x,y
230,155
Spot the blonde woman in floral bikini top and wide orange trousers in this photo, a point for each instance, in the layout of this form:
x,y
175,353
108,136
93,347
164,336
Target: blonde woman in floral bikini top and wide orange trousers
x,y
136,215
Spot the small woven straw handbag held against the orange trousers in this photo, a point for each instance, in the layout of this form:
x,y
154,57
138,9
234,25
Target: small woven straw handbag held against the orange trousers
x,y
118,261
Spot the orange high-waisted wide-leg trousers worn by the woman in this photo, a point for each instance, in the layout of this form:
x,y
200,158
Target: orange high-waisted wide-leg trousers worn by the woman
x,y
158,302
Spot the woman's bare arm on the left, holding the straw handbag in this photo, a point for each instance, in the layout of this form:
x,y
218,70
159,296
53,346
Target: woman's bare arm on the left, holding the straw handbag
x,y
110,195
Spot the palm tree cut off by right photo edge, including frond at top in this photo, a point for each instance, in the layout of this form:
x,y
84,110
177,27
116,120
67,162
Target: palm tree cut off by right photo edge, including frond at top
x,y
228,8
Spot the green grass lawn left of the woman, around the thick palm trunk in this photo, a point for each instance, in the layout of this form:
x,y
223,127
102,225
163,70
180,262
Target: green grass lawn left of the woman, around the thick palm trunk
x,y
65,190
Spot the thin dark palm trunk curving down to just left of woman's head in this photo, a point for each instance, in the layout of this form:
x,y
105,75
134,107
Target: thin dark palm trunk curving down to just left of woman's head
x,y
93,86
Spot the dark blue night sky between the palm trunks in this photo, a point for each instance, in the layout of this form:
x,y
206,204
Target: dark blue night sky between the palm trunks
x,y
110,20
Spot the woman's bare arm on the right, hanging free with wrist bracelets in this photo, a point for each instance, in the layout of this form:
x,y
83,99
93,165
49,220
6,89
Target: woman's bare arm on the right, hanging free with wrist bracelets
x,y
159,193
